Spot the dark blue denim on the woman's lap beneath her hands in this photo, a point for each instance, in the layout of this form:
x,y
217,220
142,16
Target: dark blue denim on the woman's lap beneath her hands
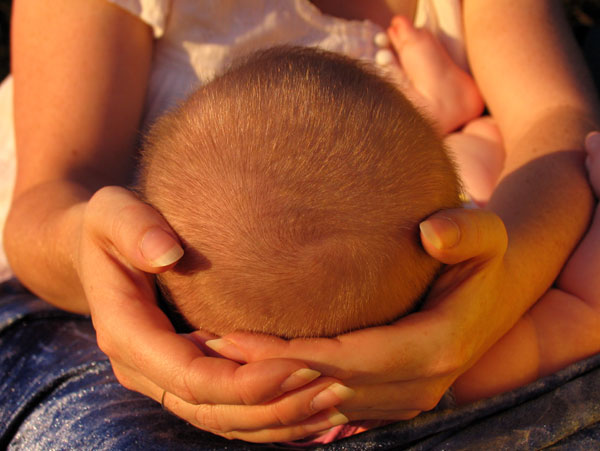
x,y
57,391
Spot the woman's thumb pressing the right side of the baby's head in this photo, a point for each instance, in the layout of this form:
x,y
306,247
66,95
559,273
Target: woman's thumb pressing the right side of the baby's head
x,y
453,236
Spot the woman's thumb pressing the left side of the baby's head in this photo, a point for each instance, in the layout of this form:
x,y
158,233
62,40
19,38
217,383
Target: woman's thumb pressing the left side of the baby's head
x,y
136,230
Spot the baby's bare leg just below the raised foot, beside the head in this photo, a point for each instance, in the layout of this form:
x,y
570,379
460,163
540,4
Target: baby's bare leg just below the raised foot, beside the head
x,y
479,155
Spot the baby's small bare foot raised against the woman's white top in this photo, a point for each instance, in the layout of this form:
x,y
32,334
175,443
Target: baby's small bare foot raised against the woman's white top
x,y
443,89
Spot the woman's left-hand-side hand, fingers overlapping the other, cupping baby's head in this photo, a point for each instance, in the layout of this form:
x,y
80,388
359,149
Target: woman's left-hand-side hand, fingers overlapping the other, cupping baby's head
x,y
122,242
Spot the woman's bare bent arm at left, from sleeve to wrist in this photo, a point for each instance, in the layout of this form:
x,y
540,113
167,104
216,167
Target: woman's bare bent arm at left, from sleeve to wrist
x,y
80,73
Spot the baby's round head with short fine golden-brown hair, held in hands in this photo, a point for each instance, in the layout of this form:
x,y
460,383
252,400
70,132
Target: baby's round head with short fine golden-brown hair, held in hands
x,y
296,182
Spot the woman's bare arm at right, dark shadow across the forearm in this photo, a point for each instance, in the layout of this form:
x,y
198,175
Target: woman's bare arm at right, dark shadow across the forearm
x,y
528,68
